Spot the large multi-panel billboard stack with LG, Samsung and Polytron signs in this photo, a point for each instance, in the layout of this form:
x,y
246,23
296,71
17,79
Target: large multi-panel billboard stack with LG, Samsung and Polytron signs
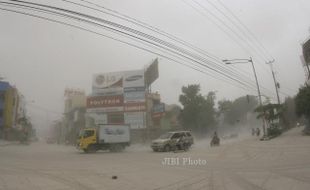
x,y
121,96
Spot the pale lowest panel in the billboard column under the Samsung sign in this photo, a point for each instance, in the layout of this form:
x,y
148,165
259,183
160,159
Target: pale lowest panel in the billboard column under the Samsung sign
x,y
135,119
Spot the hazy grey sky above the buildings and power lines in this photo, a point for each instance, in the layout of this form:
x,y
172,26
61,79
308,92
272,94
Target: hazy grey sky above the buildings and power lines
x,y
43,58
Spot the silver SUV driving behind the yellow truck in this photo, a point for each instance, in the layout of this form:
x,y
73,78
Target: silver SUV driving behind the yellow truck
x,y
177,140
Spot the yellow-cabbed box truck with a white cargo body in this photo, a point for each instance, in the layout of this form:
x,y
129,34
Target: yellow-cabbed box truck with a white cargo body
x,y
104,137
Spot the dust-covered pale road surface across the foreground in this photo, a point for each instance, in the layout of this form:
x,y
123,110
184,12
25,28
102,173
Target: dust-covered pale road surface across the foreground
x,y
282,163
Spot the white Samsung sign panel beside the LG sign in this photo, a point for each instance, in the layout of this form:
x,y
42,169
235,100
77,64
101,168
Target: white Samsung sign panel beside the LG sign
x,y
133,78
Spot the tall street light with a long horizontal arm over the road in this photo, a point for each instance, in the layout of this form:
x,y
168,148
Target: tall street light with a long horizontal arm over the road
x,y
235,61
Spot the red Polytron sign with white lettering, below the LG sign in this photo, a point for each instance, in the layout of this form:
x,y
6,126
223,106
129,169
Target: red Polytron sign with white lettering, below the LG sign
x,y
104,101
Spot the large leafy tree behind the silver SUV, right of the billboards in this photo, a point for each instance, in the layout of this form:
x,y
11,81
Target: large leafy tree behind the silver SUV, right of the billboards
x,y
198,113
